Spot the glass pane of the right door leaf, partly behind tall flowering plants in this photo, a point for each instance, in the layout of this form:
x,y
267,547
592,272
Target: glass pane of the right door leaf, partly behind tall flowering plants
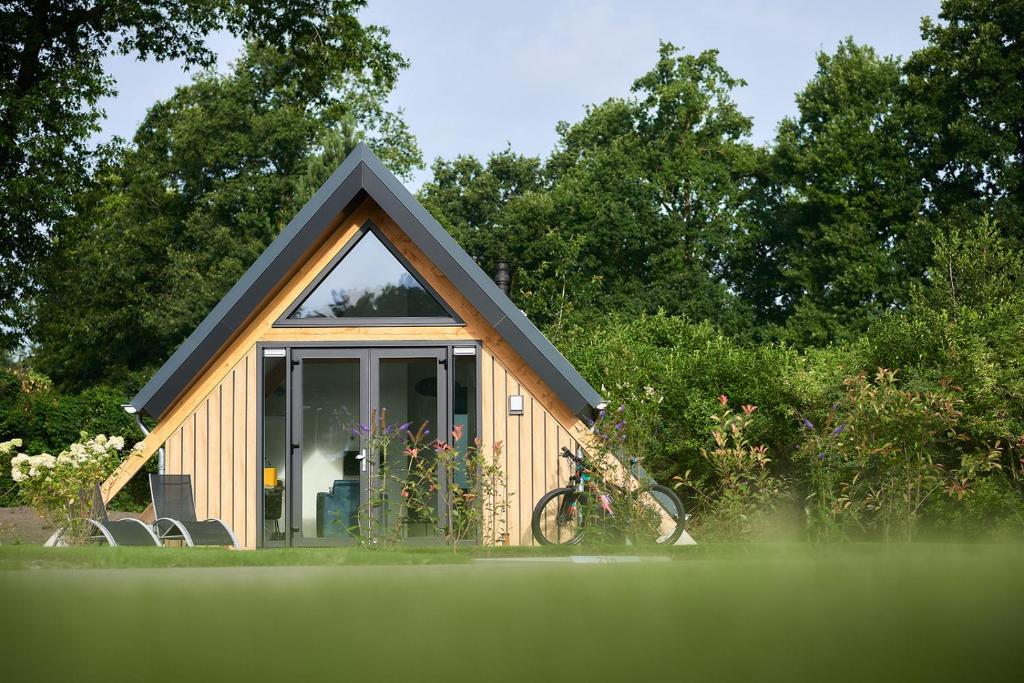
x,y
408,394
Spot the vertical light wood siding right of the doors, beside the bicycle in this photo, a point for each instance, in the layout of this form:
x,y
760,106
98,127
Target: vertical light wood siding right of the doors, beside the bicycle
x,y
531,445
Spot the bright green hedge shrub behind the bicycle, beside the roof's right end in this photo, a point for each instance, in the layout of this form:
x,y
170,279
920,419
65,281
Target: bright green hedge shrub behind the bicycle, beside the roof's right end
x,y
668,371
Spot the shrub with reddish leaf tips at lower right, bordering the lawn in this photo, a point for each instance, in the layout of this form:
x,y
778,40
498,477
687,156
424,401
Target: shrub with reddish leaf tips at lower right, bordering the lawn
x,y
880,458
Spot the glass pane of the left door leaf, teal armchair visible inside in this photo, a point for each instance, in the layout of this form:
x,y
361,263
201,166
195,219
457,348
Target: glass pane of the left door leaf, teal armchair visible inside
x,y
330,448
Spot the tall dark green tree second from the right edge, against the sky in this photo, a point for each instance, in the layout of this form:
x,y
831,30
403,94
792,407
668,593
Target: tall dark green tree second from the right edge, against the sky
x,y
841,239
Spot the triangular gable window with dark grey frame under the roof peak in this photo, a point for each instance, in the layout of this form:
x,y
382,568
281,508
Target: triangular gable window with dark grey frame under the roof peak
x,y
368,282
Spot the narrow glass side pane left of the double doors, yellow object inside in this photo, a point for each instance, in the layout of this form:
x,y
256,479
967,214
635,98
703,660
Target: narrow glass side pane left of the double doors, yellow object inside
x,y
275,448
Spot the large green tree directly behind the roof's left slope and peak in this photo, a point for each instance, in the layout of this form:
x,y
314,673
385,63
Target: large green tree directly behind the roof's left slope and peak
x,y
172,222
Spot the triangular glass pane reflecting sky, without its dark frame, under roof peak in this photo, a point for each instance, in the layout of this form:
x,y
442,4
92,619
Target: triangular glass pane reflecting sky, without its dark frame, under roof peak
x,y
369,282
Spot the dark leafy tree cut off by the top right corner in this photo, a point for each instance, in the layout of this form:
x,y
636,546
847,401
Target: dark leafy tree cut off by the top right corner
x,y
965,112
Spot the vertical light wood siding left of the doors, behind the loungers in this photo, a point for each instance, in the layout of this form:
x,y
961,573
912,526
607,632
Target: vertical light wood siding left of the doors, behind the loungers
x,y
217,446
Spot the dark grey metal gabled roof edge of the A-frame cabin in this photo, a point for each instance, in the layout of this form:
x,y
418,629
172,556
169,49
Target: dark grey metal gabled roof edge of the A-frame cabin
x,y
360,176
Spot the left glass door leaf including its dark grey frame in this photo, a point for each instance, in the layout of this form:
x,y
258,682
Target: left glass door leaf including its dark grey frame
x,y
329,471
